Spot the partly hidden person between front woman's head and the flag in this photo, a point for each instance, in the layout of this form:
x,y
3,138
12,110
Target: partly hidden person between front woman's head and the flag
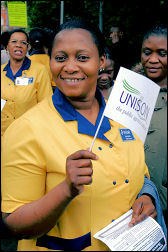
x,y
105,80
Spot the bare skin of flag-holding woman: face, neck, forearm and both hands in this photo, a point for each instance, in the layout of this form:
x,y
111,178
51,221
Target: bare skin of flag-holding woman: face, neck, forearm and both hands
x,y
75,62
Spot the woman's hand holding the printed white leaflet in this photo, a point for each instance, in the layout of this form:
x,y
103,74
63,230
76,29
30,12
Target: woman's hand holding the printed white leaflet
x,y
142,208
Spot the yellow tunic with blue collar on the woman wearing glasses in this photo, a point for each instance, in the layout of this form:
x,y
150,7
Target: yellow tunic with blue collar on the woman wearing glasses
x,y
20,98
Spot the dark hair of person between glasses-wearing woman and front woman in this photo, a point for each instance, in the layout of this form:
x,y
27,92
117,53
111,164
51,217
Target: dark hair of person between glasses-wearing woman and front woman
x,y
37,37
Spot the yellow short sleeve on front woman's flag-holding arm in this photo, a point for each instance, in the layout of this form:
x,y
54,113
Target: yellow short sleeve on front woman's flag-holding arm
x,y
23,168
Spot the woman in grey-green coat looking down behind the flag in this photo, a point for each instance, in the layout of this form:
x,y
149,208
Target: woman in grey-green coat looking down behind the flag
x,y
154,62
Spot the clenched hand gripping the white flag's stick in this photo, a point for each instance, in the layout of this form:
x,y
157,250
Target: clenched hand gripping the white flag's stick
x,y
79,171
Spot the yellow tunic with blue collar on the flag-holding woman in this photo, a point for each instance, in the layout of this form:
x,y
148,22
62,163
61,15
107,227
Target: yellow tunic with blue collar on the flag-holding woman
x,y
37,145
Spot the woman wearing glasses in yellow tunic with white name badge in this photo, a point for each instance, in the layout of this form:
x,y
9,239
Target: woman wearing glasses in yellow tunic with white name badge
x,y
24,83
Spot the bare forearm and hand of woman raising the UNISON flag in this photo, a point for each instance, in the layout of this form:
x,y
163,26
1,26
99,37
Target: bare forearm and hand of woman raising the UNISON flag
x,y
37,218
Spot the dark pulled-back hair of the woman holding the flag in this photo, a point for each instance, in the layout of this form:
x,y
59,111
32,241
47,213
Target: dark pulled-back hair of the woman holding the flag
x,y
83,24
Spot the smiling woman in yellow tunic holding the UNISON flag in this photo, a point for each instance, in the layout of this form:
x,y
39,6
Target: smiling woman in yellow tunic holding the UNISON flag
x,y
64,193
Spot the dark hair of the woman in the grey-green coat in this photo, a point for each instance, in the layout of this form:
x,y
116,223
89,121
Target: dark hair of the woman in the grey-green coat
x,y
156,30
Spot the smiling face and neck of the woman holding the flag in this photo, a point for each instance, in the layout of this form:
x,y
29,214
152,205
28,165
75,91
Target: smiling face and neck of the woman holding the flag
x,y
77,66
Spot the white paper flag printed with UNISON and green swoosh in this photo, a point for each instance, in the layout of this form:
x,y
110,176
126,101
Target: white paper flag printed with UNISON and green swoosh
x,y
132,101
